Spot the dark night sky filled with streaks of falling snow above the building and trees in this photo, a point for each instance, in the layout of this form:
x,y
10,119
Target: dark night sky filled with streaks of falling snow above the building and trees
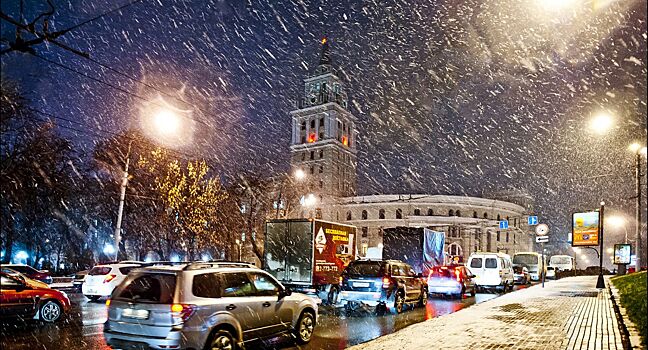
x,y
453,97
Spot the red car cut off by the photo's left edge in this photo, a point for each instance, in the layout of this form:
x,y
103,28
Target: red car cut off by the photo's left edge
x,y
21,298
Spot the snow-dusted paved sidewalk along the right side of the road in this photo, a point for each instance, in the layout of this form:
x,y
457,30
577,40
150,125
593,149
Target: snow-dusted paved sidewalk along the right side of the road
x,y
567,314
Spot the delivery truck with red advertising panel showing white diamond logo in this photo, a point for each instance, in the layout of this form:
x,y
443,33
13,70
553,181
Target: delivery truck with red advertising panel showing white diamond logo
x,y
309,255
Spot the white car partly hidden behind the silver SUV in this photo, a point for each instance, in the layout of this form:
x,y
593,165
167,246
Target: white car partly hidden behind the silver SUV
x,y
102,279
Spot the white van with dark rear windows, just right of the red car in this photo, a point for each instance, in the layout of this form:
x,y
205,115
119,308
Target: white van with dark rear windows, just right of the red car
x,y
491,270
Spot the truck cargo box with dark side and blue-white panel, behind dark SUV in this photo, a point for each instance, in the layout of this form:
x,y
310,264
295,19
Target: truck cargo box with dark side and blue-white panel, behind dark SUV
x,y
420,247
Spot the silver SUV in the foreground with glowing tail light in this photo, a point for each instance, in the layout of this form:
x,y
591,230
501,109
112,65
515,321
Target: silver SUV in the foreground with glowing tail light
x,y
213,305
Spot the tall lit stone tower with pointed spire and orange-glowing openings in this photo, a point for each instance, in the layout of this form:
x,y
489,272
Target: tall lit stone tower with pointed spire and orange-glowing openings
x,y
323,141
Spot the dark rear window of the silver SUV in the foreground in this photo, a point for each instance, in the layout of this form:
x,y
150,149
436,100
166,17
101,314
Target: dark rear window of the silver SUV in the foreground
x,y
155,288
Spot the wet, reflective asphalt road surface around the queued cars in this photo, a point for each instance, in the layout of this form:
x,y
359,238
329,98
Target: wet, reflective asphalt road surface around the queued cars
x,y
82,328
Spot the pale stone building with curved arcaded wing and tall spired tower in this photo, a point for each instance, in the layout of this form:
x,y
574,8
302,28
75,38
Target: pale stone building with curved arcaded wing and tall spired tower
x,y
323,148
